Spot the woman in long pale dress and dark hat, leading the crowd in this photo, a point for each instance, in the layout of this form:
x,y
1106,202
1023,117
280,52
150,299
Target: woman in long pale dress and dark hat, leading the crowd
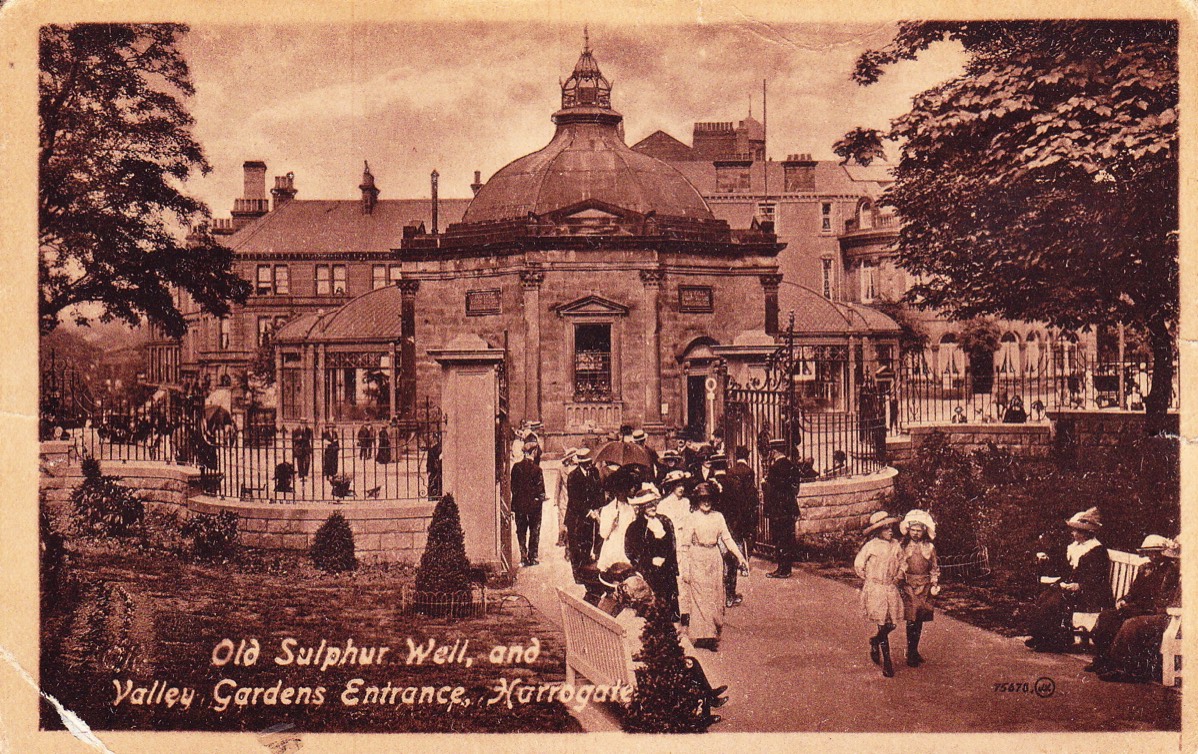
x,y
705,569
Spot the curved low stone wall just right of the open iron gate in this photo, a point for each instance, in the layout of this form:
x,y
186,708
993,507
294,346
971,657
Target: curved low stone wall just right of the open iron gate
x,y
844,504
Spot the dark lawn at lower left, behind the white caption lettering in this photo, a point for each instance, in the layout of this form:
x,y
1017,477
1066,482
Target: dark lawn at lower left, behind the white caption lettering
x,y
131,613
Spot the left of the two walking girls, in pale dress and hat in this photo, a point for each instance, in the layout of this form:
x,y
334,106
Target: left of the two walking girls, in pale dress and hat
x,y
880,565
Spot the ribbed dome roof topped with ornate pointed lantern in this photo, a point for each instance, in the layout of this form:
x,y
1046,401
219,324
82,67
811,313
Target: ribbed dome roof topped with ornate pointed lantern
x,y
588,160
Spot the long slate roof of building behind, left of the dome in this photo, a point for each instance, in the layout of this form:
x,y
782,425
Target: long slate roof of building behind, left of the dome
x,y
324,226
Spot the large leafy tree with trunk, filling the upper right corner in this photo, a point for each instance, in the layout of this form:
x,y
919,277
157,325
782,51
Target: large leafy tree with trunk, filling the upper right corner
x,y
1042,184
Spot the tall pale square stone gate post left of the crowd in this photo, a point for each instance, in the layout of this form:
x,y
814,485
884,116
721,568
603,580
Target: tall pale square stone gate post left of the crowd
x,y
470,395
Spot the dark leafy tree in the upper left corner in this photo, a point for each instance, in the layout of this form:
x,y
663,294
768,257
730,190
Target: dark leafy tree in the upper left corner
x,y
116,149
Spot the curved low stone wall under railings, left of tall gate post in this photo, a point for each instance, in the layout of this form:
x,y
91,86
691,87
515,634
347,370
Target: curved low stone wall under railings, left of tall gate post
x,y
384,532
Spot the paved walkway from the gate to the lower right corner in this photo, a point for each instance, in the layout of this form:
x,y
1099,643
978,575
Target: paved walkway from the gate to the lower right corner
x,y
796,659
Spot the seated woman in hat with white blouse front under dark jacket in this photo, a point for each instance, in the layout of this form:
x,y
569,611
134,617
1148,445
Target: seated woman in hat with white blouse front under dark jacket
x,y
1085,588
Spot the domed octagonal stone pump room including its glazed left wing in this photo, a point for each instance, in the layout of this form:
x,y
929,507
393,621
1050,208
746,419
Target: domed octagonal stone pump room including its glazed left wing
x,y
600,273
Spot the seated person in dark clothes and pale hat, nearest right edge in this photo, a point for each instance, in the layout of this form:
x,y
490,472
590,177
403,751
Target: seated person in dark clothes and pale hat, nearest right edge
x,y
1149,595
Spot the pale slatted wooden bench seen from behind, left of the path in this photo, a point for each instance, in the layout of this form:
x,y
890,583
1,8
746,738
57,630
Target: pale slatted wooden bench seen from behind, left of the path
x,y
596,644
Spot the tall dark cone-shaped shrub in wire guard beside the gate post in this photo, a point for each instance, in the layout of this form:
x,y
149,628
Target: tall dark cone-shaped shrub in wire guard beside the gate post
x,y
444,576
